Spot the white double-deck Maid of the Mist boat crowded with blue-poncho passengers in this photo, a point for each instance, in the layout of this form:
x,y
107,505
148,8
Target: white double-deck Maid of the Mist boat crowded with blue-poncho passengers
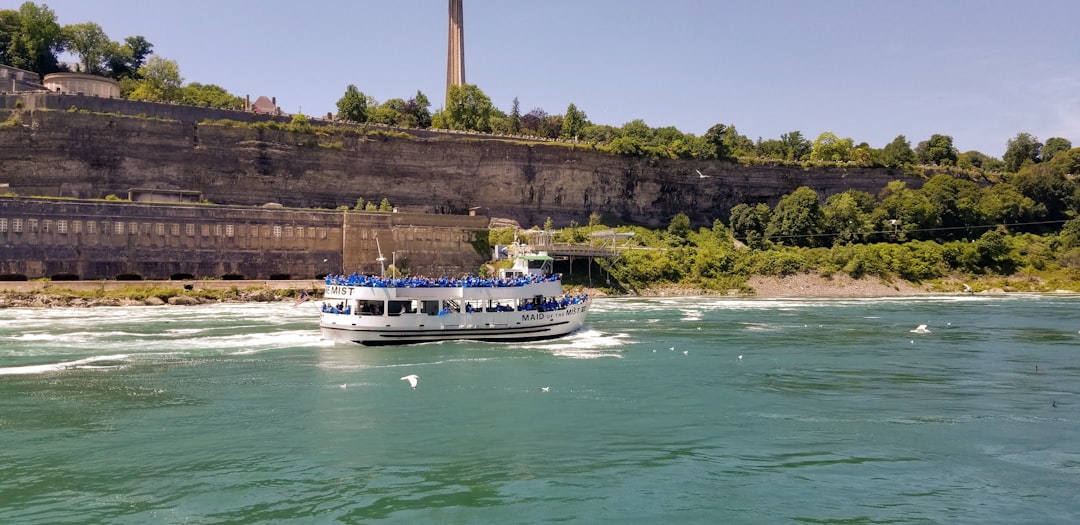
x,y
525,303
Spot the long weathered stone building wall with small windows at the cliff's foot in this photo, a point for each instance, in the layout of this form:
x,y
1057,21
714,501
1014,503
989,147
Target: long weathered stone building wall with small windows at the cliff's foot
x,y
106,240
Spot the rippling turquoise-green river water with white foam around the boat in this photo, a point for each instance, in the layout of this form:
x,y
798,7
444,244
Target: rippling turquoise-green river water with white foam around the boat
x,y
659,411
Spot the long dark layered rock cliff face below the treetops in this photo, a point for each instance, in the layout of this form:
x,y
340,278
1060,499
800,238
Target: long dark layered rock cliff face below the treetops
x,y
73,154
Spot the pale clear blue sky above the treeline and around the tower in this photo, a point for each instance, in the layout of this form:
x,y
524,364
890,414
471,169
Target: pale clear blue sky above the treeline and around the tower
x,y
979,71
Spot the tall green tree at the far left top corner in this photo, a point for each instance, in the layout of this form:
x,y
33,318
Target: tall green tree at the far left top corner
x,y
36,42
